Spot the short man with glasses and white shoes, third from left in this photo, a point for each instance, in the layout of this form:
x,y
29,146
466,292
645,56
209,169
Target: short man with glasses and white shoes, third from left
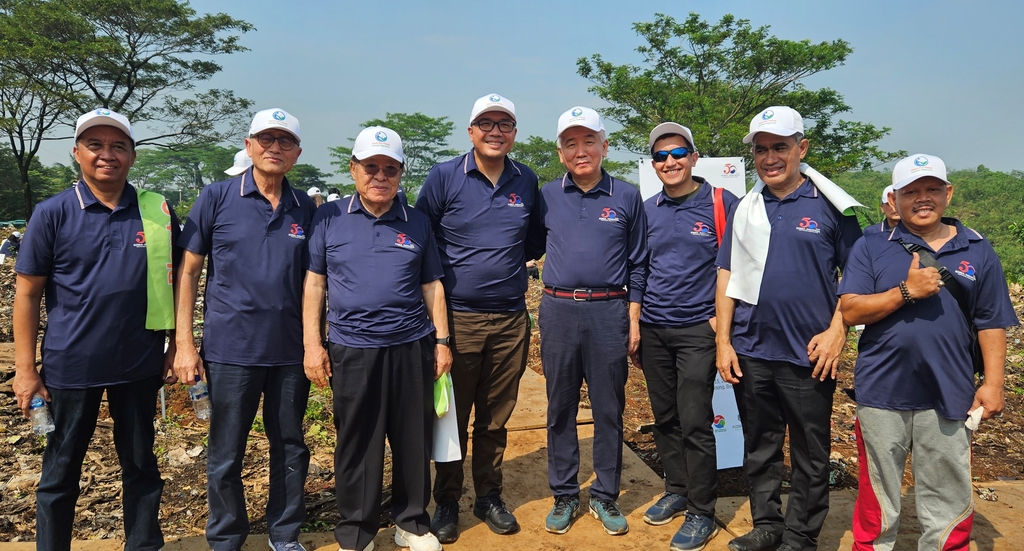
x,y
389,341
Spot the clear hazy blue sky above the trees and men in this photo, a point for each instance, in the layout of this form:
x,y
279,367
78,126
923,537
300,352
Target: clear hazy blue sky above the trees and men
x,y
947,76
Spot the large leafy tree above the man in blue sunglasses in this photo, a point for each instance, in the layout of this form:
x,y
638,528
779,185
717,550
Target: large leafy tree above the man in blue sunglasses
x,y
715,78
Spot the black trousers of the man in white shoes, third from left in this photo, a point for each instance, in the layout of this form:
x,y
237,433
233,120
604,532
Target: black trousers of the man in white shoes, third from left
x,y
382,393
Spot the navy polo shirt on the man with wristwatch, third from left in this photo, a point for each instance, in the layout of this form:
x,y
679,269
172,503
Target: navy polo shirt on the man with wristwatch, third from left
x,y
375,271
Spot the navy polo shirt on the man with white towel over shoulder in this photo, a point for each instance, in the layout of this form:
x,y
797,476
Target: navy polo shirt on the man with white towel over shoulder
x,y
810,241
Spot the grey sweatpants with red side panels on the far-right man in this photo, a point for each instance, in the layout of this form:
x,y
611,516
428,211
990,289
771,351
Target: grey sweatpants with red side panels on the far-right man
x,y
942,467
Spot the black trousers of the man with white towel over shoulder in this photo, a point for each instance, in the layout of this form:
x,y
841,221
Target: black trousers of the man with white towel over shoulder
x,y
773,397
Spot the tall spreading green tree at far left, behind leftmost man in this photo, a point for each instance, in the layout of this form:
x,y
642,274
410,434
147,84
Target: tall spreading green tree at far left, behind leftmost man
x,y
143,59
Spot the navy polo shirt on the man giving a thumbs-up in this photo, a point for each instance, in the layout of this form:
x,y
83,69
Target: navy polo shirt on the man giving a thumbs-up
x,y
919,358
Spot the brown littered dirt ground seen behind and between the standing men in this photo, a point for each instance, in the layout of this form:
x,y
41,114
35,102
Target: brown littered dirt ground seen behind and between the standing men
x,y
181,447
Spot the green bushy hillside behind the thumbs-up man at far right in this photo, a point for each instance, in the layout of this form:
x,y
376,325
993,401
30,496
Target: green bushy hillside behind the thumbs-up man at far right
x,y
985,200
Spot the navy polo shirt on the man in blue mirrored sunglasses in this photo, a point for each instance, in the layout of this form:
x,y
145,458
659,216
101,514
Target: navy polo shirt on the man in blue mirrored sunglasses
x,y
684,242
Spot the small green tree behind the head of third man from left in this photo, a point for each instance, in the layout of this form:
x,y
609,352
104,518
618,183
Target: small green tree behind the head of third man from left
x,y
424,142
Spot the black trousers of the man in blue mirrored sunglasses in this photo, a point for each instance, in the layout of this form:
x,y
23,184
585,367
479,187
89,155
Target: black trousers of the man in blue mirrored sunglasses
x,y
679,366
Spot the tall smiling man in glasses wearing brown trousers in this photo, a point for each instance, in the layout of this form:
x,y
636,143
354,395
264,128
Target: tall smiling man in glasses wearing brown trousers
x,y
483,206
